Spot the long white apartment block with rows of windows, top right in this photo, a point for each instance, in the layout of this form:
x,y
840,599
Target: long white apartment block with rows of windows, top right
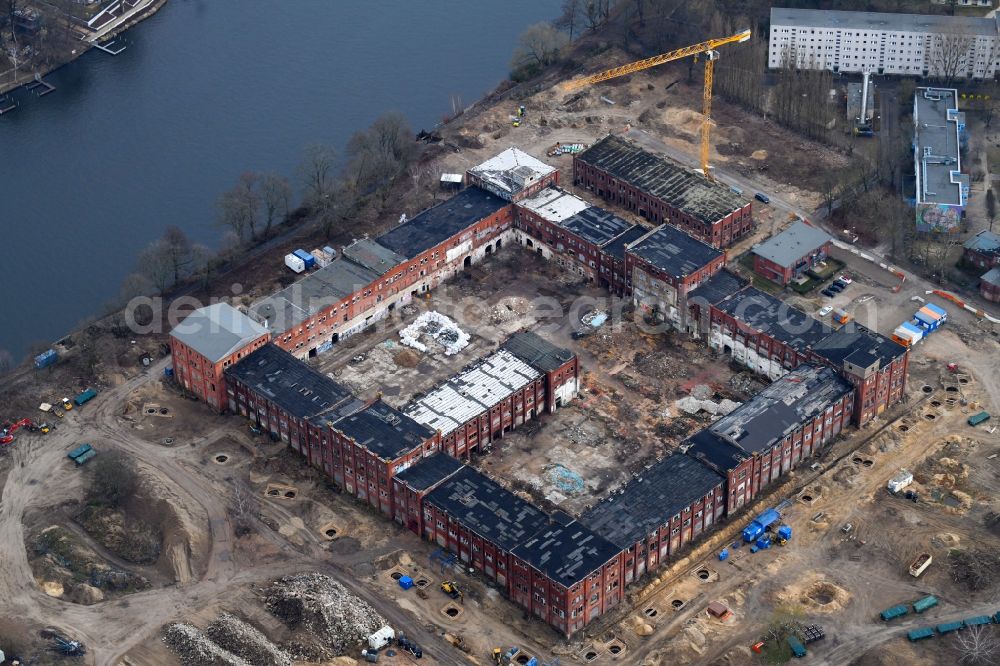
x,y
958,47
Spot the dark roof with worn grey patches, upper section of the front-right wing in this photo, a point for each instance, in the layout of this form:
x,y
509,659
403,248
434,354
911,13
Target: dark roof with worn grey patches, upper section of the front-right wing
x,y
792,400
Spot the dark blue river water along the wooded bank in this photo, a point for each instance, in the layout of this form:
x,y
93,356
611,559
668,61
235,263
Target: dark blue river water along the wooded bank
x,y
206,90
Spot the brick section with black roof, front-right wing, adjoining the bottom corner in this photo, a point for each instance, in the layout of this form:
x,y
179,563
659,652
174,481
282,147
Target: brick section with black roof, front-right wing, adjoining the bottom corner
x,y
656,514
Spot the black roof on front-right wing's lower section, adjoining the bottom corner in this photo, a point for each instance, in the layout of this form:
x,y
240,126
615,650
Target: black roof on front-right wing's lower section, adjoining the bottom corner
x,y
649,500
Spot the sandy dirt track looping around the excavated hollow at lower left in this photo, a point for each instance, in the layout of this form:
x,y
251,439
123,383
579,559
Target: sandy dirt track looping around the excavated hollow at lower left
x,y
111,628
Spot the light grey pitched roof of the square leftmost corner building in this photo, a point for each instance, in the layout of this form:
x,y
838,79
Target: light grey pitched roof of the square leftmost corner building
x,y
217,331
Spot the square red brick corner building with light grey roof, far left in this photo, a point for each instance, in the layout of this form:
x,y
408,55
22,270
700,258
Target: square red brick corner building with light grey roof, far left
x,y
208,341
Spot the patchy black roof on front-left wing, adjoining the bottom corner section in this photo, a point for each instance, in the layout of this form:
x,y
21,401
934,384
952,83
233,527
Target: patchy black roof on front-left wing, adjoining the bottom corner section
x,y
482,506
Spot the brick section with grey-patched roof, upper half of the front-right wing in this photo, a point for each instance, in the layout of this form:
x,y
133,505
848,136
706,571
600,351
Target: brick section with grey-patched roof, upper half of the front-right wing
x,y
763,439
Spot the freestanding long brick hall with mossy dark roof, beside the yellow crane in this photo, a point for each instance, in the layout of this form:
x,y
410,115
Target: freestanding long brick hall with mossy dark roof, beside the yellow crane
x,y
662,191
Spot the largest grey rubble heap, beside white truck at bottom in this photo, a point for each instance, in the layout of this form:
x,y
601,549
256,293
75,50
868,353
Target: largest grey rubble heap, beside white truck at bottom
x,y
324,608
